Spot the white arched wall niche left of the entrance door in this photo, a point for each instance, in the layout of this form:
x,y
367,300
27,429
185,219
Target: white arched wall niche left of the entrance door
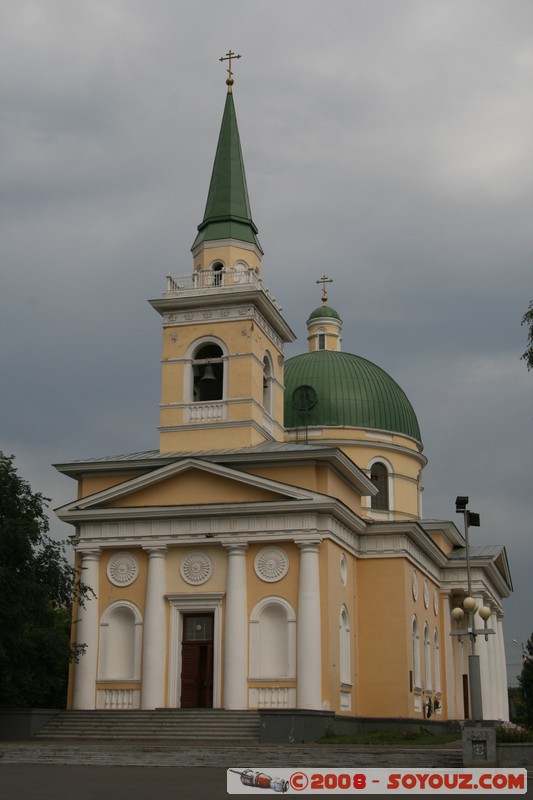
x,y
120,642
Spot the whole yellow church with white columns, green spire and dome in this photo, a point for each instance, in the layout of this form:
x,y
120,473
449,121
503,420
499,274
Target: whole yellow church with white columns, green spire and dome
x,y
272,552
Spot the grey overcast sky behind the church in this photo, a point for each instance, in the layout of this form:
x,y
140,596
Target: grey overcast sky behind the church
x,y
386,142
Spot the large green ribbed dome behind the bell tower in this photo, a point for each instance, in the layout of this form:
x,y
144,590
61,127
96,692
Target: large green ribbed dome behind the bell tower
x,y
326,387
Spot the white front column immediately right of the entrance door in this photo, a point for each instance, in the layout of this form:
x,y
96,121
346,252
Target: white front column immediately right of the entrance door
x,y
236,630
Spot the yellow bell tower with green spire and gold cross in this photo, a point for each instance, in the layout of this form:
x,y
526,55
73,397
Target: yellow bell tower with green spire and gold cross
x,y
223,332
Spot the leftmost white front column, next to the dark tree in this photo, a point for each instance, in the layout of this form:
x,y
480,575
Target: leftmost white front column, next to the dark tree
x,y
87,634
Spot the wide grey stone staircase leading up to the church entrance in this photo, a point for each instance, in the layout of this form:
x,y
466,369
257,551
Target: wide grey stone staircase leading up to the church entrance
x,y
174,725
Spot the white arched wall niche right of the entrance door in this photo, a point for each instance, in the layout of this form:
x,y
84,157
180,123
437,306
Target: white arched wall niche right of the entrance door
x,y
273,640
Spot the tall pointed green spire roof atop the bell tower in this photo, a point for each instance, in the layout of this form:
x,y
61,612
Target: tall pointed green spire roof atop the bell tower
x,y
227,212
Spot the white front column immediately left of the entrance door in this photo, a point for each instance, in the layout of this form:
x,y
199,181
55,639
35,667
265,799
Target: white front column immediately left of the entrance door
x,y
155,631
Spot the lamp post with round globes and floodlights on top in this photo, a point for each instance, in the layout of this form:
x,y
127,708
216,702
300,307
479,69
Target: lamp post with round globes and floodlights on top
x,y
470,607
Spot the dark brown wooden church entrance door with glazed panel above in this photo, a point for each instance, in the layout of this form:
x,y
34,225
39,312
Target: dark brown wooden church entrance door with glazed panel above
x,y
197,661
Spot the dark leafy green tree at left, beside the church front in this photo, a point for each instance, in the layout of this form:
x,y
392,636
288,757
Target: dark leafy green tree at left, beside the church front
x,y
37,589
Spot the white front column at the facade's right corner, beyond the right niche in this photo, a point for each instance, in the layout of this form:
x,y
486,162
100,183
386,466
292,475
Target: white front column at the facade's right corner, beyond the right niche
x,y
309,648
